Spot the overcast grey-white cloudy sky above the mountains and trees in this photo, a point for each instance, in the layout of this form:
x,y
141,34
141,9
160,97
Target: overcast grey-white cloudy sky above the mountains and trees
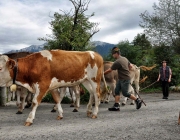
x,y
24,21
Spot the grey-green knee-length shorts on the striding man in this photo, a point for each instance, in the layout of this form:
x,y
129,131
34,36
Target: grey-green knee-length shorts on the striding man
x,y
122,85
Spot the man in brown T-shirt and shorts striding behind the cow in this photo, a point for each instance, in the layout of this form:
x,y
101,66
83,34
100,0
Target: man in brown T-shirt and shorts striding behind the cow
x,y
122,65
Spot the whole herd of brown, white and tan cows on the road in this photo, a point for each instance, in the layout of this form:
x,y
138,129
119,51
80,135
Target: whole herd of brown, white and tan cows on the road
x,y
53,71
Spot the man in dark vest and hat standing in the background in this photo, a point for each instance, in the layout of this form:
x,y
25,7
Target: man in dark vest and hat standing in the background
x,y
165,74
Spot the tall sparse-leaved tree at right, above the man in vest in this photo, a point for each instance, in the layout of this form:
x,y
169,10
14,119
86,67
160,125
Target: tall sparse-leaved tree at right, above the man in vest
x,y
163,26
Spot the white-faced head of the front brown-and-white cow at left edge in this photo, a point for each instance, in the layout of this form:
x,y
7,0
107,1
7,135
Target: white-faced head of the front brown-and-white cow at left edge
x,y
6,70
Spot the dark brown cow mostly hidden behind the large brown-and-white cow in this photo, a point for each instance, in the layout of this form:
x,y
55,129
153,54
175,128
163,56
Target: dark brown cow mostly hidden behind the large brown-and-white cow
x,y
23,96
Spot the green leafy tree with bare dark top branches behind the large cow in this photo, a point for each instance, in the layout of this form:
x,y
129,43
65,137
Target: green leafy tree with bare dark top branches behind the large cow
x,y
71,30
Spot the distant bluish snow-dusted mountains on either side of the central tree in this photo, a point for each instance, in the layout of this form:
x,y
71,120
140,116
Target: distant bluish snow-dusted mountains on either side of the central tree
x,y
102,48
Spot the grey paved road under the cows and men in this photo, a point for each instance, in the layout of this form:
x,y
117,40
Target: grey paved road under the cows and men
x,y
156,121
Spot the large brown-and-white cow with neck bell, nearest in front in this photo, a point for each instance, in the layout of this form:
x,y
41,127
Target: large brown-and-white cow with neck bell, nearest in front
x,y
48,70
